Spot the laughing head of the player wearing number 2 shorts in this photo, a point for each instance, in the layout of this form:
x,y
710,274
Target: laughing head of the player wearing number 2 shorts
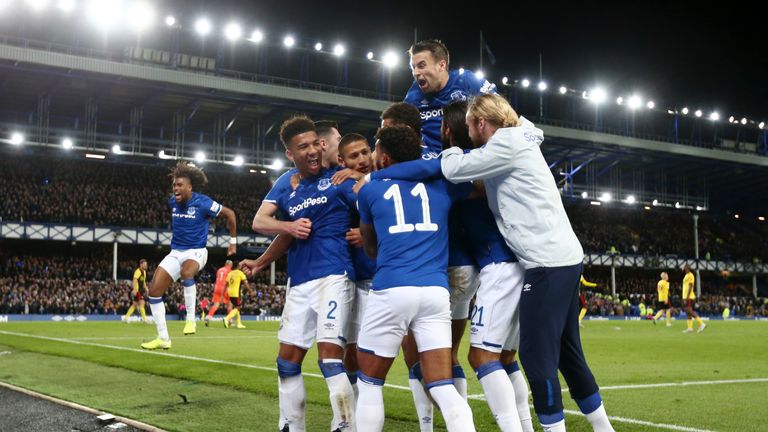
x,y
302,145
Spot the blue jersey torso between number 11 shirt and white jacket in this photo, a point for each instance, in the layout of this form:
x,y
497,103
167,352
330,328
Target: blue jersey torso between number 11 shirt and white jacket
x,y
486,245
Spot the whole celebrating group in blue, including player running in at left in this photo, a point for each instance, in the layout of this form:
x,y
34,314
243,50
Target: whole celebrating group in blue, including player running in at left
x,y
453,216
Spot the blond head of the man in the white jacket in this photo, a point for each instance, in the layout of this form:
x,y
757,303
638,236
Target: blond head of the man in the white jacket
x,y
486,113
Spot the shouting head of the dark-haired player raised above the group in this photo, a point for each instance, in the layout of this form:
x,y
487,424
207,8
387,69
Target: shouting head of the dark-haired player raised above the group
x,y
429,65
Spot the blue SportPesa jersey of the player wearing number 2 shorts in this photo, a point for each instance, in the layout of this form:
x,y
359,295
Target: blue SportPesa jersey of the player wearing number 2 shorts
x,y
330,208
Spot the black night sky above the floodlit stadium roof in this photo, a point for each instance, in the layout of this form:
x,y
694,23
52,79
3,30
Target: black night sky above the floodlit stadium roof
x,y
678,53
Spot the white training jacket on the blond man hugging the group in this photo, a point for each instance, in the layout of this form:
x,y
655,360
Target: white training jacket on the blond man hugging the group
x,y
522,195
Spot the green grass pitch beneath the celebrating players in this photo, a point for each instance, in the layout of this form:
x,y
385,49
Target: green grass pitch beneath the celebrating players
x,y
653,377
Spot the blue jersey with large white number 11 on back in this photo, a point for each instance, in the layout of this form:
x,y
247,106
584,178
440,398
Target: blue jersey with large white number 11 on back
x,y
411,223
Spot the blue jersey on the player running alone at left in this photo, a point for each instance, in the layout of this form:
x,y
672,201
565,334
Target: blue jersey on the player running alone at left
x,y
190,219
